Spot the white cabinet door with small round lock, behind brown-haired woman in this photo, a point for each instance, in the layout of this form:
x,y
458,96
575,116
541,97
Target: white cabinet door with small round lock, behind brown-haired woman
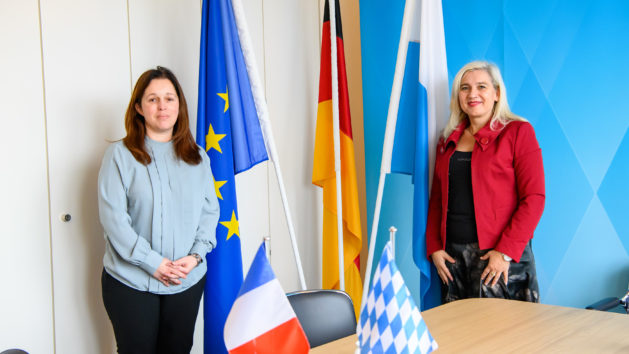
x,y
87,81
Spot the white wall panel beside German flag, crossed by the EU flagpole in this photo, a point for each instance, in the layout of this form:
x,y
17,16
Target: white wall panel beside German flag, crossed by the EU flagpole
x,y
292,85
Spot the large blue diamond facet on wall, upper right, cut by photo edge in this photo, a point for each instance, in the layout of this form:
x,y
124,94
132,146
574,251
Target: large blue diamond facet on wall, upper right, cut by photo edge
x,y
589,85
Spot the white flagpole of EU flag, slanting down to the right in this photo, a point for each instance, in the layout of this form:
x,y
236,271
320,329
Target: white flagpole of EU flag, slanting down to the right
x,y
263,116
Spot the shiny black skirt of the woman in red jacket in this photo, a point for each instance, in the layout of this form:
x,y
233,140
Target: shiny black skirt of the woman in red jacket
x,y
467,270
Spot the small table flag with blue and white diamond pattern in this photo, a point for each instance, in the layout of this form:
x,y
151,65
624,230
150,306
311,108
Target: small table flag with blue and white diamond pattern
x,y
390,321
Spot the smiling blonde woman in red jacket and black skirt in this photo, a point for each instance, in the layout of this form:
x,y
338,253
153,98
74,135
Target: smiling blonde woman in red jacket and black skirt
x,y
487,193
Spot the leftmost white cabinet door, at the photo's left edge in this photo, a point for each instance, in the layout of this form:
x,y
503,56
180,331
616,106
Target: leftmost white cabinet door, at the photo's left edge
x,y
26,298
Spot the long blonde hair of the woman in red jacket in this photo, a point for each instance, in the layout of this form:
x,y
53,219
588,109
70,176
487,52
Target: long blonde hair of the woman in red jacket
x,y
502,114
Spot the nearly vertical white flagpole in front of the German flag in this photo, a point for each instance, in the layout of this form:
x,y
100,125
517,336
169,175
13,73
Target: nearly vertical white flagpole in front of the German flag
x,y
337,143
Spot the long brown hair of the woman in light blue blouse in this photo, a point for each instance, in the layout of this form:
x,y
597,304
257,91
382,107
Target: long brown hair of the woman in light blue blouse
x,y
185,147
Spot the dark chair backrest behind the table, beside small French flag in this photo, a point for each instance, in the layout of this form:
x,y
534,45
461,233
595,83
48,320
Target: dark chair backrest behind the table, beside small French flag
x,y
325,315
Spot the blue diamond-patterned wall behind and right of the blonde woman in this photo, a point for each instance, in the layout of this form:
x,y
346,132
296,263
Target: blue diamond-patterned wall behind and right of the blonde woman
x,y
565,68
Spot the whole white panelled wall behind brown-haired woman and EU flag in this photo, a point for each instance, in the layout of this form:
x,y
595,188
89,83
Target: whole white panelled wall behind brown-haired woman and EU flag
x,y
69,70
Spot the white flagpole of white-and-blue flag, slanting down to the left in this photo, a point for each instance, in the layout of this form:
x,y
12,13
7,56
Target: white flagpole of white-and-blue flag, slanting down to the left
x,y
394,102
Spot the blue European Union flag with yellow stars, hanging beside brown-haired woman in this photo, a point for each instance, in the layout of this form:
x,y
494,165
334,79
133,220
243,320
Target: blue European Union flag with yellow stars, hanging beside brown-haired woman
x,y
229,130
